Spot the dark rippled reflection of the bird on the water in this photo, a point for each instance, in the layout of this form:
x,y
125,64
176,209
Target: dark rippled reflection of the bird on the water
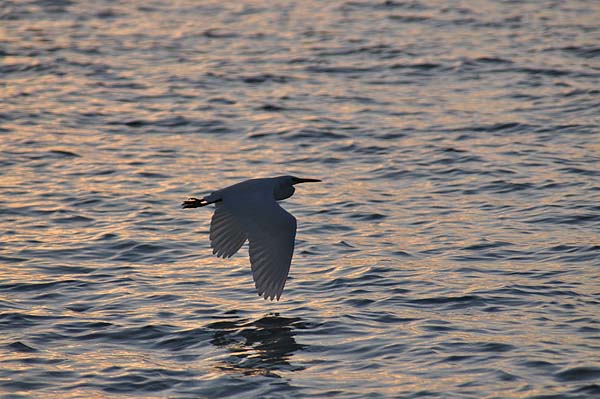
x,y
261,346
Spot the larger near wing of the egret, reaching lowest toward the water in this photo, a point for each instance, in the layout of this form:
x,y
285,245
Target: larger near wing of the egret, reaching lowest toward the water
x,y
271,231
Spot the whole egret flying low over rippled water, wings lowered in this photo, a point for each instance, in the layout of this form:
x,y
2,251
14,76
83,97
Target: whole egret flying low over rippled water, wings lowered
x,y
249,211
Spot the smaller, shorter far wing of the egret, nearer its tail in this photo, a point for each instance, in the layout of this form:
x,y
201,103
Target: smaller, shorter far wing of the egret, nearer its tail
x,y
226,234
